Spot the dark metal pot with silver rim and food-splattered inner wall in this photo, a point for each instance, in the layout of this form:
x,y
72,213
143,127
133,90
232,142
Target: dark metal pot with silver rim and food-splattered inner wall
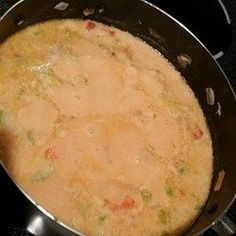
x,y
185,52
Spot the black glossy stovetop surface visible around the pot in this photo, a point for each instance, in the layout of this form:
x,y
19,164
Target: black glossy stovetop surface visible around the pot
x,y
214,23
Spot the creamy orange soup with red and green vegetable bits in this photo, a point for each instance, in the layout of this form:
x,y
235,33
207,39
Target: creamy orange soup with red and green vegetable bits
x,y
101,130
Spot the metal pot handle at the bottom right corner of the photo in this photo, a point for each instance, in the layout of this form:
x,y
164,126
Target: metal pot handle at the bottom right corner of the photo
x,y
224,227
